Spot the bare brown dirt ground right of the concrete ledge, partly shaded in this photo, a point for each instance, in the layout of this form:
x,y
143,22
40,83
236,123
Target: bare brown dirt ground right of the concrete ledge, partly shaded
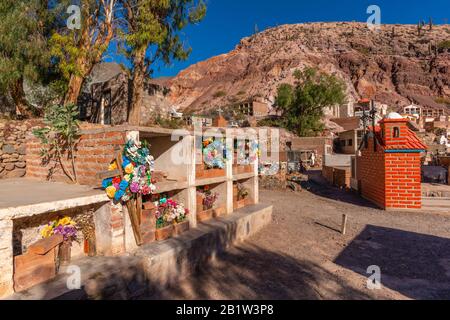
x,y
302,256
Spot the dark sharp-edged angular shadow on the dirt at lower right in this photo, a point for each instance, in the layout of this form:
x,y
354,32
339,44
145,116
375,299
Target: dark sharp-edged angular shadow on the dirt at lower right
x,y
416,265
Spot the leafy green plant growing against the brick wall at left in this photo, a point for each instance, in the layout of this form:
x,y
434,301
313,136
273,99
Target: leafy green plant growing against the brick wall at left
x,y
60,136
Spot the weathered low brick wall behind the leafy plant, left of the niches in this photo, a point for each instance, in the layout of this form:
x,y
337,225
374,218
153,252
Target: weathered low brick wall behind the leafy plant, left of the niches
x,y
94,152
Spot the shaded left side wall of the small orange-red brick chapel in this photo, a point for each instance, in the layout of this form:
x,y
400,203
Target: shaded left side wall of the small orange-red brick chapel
x,y
370,168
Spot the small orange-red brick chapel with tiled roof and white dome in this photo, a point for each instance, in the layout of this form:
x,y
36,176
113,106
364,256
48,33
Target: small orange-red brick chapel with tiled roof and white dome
x,y
388,165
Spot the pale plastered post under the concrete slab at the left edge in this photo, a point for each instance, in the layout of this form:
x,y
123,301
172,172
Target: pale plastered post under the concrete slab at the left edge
x,y
6,258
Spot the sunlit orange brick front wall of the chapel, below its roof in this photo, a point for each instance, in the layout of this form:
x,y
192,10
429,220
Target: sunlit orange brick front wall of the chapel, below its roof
x,y
403,181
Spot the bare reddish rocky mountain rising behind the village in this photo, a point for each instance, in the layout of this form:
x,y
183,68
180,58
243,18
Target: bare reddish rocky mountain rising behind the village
x,y
395,65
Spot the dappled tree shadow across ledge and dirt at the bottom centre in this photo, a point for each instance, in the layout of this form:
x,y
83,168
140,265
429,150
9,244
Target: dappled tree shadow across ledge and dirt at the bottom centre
x,y
246,272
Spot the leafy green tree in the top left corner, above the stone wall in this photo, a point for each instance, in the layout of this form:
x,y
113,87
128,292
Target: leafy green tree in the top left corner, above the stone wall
x,y
23,49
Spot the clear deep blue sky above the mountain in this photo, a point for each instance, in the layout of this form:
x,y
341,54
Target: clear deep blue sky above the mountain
x,y
227,21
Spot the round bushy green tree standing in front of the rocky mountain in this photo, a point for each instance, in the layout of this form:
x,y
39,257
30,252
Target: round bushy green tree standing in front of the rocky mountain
x,y
302,104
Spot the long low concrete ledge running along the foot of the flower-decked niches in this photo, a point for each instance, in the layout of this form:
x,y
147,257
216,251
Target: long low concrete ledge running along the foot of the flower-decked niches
x,y
156,265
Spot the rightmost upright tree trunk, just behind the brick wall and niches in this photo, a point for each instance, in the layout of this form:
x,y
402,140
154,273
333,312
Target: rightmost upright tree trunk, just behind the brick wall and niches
x,y
137,87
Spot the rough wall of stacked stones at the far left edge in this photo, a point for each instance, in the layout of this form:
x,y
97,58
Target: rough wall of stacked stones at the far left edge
x,y
13,147
